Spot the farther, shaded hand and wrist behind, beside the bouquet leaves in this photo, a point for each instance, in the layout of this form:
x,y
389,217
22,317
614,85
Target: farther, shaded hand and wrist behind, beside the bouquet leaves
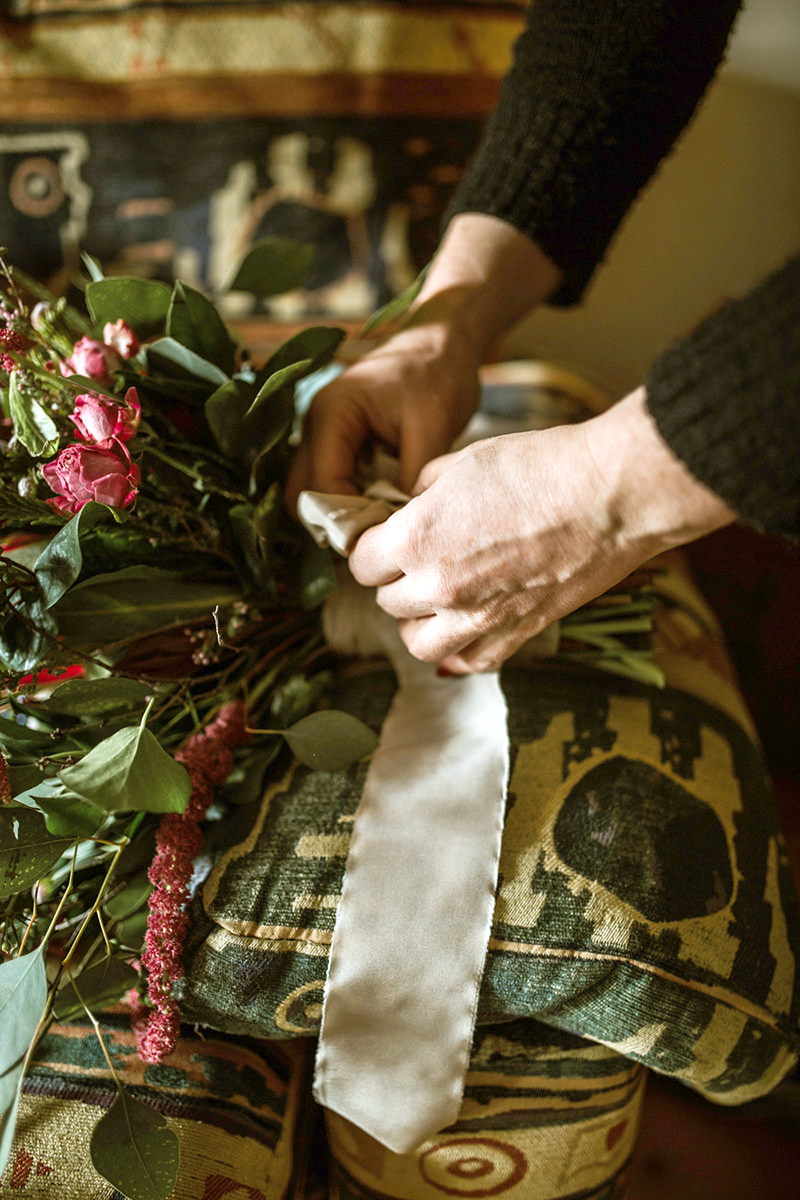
x,y
417,393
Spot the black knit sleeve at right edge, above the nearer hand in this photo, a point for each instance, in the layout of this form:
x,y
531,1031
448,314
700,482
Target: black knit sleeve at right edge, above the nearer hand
x,y
727,403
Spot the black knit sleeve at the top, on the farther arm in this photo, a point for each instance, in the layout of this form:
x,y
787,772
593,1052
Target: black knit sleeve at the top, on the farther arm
x,y
598,94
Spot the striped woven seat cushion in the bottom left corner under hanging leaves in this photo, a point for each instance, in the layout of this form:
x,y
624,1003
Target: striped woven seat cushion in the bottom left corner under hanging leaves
x,y
233,1105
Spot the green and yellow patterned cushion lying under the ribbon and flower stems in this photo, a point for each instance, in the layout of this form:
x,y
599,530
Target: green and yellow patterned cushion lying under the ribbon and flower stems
x,y
645,899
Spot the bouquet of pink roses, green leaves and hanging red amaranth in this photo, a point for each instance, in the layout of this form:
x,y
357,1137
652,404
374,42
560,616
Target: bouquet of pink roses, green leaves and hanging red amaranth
x,y
160,643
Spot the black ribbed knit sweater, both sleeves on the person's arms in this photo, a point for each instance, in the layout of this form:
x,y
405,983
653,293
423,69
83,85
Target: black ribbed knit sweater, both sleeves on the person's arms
x,y
598,94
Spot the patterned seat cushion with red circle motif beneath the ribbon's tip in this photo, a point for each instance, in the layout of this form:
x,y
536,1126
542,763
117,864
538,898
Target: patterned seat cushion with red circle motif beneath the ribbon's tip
x,y
546,1117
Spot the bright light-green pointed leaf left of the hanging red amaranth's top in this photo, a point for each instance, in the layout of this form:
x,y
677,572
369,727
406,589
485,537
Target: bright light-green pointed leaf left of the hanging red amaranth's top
x,y
130,771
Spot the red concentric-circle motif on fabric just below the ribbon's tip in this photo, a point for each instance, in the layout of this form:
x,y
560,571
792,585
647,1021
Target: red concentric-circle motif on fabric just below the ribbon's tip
x,y
473,1167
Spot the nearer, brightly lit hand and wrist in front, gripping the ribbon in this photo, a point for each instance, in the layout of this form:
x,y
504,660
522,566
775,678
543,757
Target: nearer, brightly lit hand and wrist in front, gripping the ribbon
x,y
513,533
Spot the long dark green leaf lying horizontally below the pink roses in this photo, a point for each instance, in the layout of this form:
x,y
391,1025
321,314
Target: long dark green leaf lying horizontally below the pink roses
x,y
134,602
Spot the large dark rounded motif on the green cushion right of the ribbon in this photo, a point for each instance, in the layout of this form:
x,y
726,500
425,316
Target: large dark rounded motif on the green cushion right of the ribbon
x,y
647,841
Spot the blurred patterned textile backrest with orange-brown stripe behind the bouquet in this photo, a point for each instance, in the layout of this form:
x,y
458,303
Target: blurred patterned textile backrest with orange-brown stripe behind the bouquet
x,y
166,139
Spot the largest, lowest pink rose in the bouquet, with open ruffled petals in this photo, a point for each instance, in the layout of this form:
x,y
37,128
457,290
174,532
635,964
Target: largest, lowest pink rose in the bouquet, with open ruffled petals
x,y
93,473
